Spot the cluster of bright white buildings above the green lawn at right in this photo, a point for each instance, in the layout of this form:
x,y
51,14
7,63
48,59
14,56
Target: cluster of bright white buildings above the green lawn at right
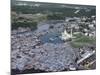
x,y
84,25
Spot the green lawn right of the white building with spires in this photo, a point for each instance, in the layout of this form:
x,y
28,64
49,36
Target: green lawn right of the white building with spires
x,y
82,40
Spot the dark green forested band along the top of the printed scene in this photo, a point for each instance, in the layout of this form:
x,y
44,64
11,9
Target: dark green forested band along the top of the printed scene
x,y
28,7
